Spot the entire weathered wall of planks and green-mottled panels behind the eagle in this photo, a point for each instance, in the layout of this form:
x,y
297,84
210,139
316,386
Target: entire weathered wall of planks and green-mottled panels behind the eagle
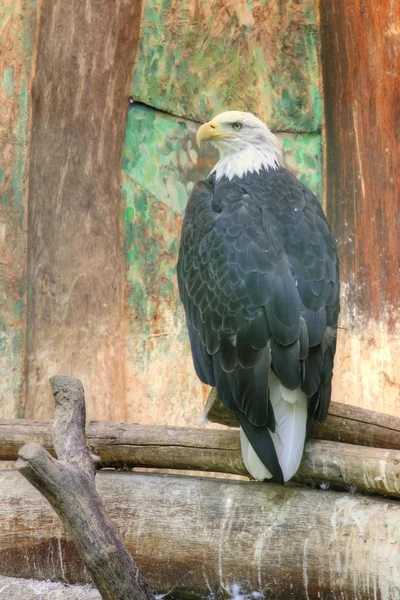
x,y
119,325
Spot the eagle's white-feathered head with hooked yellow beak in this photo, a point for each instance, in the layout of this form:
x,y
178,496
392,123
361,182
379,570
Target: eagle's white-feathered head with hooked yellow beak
x,y
244,142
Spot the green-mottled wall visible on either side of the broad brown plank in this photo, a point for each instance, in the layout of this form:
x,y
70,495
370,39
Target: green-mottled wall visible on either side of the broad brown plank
x,y
196,59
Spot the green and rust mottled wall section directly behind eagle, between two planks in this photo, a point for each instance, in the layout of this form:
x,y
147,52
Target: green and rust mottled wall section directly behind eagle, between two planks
x,y
195,60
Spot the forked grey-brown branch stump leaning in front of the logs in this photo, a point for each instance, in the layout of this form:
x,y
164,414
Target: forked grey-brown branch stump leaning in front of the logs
x,y
68,484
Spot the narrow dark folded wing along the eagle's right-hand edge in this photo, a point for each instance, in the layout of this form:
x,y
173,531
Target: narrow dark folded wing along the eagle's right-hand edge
x,y
312,254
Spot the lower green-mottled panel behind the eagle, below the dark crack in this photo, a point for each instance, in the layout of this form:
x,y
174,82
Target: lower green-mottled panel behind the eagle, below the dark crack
x,y
160,165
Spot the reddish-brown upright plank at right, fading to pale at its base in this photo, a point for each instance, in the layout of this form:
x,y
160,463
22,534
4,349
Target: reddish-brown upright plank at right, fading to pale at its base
x,y
361,65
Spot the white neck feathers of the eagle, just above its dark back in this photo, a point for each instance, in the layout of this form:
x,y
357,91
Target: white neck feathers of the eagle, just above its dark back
x,y
248,160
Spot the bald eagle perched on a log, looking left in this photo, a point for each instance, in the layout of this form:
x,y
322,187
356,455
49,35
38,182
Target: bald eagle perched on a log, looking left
x,y
258,276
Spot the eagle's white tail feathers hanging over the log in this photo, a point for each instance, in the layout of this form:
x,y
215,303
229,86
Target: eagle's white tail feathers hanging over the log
x,y
290,410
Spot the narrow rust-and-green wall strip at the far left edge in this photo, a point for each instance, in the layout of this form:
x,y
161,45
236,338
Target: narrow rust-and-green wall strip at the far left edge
x,y
17,24
